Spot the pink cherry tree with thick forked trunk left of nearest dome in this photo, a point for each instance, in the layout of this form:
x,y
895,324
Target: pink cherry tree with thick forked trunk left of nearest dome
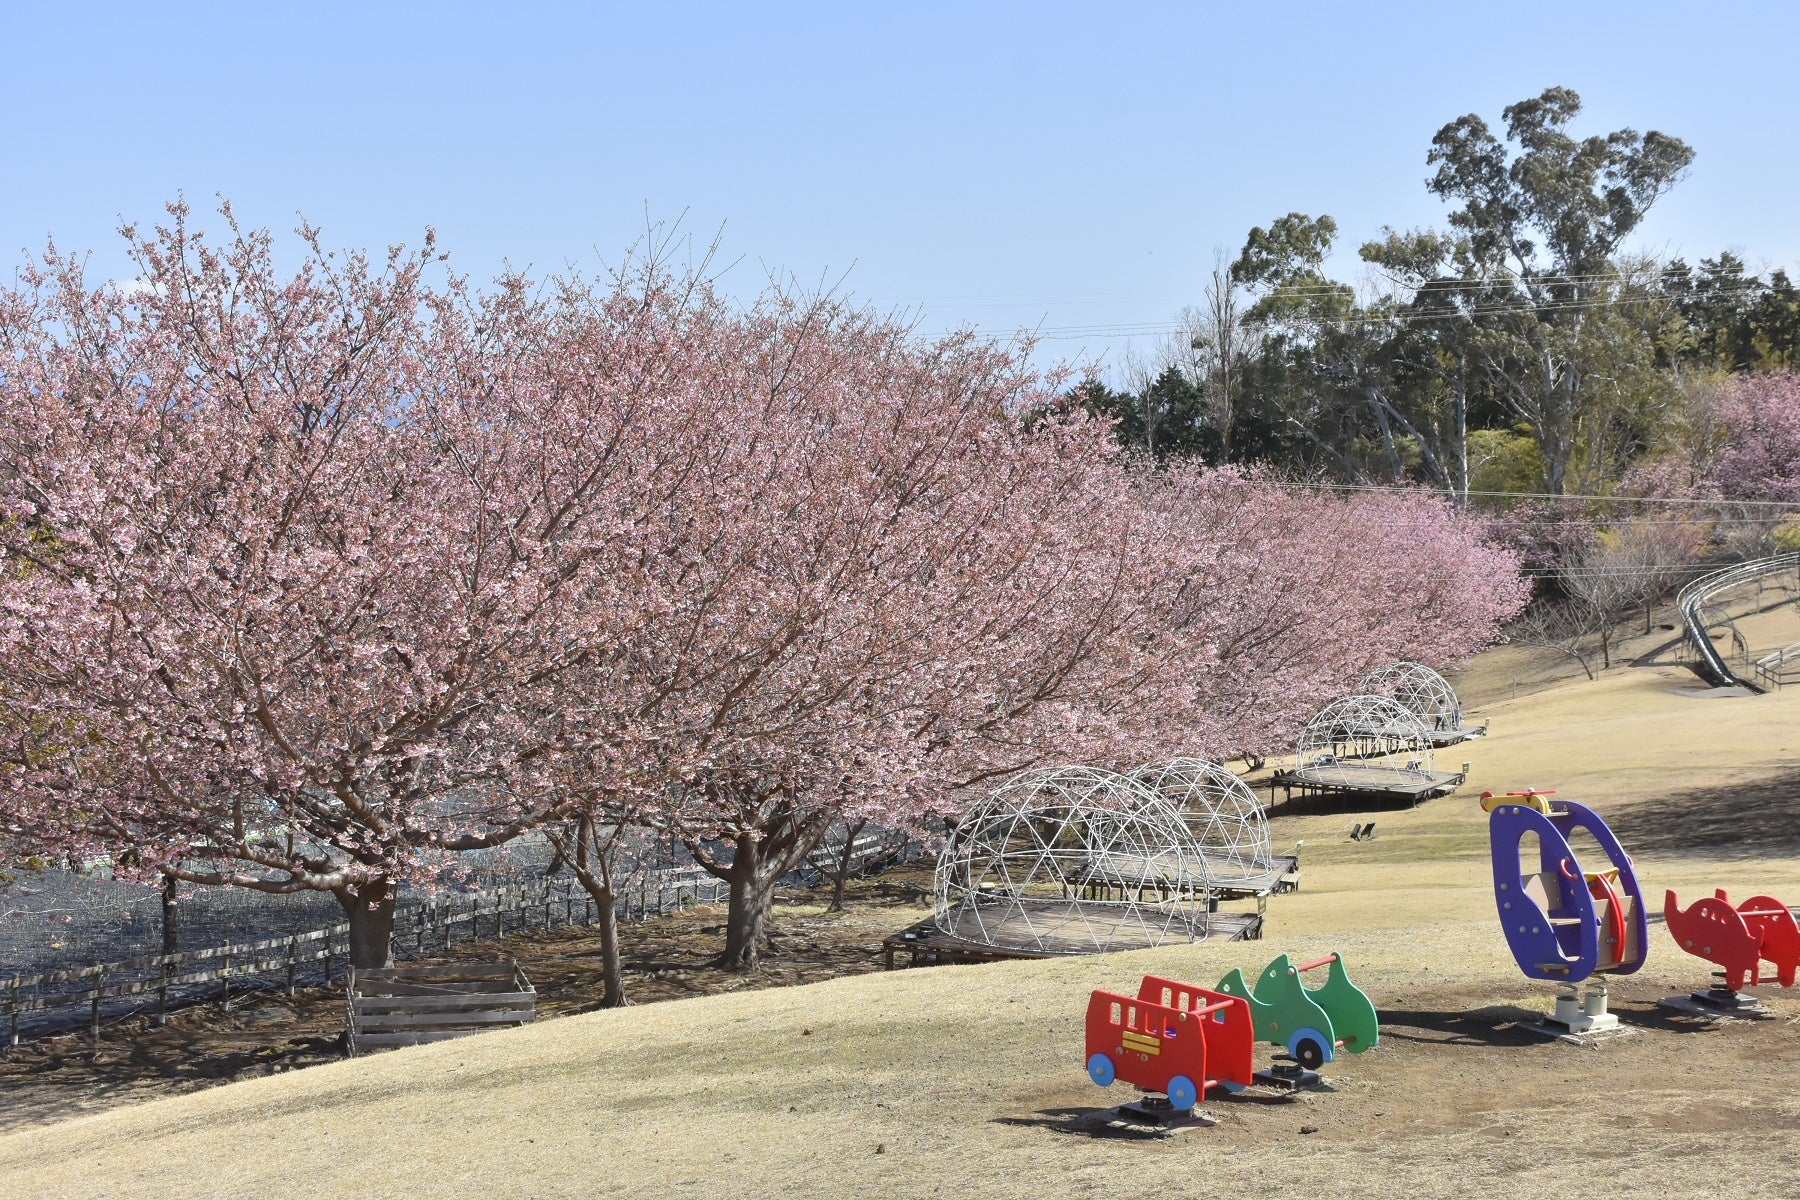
x,y
897,586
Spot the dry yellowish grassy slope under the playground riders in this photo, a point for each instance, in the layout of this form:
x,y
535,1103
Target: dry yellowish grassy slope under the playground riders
x,y
960,1080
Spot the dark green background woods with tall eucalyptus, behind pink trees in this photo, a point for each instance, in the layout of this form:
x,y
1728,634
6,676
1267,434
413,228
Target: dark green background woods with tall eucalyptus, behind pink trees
x,y
1524,348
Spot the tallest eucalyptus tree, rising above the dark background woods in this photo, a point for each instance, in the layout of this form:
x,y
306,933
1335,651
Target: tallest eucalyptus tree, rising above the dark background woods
x,y
1558,330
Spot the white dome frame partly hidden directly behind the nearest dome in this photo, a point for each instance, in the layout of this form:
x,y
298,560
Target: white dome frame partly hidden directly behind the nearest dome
x,y
1225,818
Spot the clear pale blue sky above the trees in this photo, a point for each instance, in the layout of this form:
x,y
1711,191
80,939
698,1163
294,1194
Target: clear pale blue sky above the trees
x,y
1070,168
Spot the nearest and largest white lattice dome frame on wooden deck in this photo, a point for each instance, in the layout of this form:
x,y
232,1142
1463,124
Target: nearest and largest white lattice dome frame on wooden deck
x,y
1072,861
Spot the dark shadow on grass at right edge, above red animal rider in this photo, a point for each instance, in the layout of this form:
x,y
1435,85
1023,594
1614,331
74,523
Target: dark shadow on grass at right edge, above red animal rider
x,y
1754,819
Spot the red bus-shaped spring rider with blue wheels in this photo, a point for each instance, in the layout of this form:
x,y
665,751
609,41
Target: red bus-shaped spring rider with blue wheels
x,y
1174,1039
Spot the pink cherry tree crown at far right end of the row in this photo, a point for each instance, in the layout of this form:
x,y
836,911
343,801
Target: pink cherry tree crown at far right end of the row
x,y
1304,591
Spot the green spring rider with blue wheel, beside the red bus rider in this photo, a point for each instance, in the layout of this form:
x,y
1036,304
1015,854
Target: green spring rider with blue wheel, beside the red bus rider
x,y
1311,1025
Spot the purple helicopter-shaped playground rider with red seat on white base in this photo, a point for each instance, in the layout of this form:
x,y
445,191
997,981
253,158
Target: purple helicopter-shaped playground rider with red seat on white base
x,y
1563,922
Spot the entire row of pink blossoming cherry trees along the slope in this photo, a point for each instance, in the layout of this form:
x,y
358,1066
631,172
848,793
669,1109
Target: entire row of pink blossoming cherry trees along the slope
x,y
318,580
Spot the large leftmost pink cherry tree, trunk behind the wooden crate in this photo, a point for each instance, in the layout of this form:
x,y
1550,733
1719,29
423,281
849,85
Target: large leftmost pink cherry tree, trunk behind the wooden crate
x,y
294,571
